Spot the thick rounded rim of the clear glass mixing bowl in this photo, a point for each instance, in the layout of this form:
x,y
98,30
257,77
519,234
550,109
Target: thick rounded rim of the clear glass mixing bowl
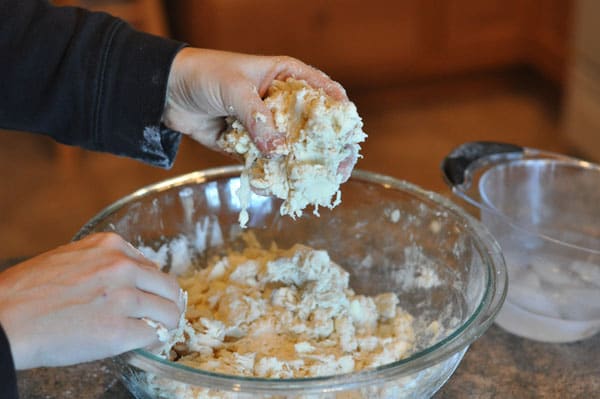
x,y
485,313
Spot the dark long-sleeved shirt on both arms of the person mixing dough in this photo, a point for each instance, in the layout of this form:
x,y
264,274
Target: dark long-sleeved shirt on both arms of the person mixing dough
x,y
85,79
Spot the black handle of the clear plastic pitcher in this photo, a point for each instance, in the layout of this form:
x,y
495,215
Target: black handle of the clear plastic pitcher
x,y
455,165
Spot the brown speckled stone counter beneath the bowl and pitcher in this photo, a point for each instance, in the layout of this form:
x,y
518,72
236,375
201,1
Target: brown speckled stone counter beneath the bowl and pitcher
x,y
498,365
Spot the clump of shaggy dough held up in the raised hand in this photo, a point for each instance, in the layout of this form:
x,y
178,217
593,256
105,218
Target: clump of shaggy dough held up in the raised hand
x,y
319,152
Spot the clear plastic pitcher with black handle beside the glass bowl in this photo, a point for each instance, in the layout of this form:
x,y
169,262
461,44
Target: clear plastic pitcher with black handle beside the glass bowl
x,y
544,210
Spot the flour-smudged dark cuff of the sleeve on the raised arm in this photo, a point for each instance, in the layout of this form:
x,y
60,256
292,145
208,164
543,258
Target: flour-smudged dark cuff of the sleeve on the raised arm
x,y
130,97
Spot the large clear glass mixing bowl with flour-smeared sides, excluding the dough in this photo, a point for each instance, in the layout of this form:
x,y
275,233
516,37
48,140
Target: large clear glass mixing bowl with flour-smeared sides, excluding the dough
x,y
390,235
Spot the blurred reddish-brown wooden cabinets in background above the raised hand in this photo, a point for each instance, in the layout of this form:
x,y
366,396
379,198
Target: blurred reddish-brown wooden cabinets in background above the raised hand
x,y
379,42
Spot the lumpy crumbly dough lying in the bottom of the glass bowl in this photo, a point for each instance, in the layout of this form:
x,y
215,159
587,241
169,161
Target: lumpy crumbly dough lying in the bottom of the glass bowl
x,y
277,313
